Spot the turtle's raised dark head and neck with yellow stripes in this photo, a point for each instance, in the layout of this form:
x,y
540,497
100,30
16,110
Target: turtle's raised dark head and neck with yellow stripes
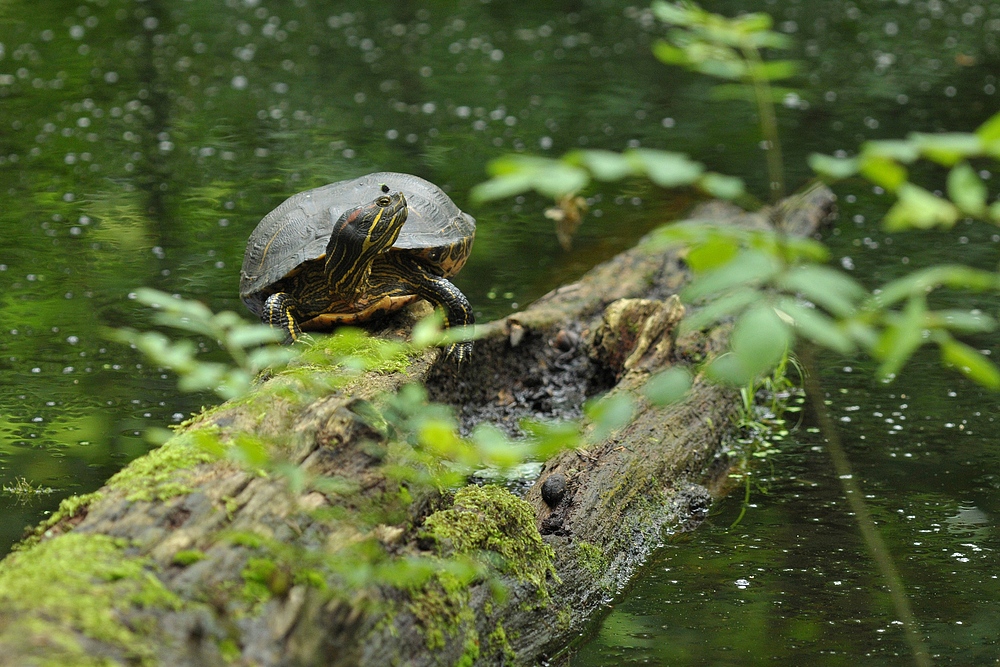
x,y
358,236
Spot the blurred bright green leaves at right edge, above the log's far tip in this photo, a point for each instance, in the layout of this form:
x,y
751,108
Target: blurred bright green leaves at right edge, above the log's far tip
x,y
885,163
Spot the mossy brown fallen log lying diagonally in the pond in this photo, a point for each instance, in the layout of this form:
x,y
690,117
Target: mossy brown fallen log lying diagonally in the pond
x,y
189,557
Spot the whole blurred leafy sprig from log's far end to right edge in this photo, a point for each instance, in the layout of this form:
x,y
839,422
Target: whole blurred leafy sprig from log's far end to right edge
x,y
777,290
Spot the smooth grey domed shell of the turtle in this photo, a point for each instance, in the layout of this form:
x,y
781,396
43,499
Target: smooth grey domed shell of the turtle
x,y
298,230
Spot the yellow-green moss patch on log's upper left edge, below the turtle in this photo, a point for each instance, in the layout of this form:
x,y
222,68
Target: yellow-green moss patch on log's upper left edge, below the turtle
x,y
164,472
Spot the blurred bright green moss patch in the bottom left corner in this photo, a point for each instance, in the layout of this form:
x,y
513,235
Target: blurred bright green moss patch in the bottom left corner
x,y
80,583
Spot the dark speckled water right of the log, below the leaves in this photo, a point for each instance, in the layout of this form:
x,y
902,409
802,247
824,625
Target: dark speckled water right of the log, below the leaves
x,y
794,583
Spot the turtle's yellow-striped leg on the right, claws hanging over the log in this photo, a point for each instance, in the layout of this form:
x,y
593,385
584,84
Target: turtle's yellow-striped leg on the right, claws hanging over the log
x,y
419,280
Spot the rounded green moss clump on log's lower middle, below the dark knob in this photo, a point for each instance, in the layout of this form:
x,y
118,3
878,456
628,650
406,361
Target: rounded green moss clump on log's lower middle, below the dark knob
x,y
490,519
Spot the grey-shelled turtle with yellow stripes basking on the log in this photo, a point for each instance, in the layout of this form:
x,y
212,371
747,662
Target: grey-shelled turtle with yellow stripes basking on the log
x,y
356,249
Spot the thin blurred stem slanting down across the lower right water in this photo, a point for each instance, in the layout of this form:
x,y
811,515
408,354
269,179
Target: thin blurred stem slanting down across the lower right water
x,y
869,530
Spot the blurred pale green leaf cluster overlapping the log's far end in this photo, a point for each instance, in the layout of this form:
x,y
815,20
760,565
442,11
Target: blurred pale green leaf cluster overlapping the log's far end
x,y
774,288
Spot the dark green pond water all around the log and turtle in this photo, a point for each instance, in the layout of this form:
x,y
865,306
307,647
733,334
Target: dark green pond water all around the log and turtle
x,y
140,143
